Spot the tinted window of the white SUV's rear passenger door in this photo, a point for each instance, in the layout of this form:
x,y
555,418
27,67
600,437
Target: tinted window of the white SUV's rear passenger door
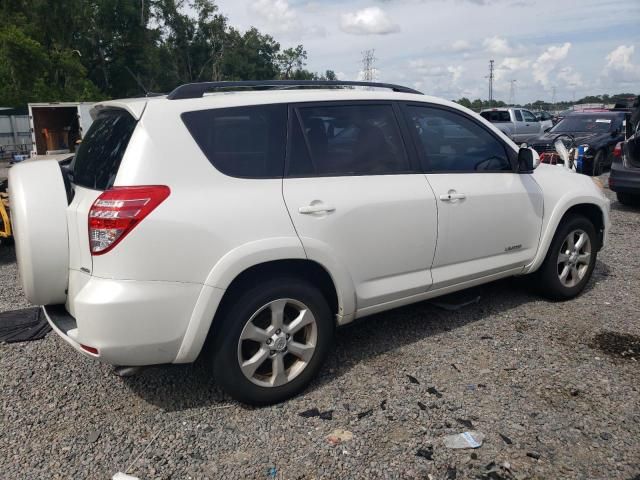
x,y
346,140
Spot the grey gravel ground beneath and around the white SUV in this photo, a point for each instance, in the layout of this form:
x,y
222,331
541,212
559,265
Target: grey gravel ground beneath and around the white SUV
x,y
528,374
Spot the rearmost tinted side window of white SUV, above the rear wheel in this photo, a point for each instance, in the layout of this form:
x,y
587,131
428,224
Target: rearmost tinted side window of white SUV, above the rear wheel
x,y
246,142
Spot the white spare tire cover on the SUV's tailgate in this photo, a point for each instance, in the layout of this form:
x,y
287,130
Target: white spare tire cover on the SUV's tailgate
x,y
38,202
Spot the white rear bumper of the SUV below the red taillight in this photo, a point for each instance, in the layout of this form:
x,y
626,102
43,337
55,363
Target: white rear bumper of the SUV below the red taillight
x,y
128,322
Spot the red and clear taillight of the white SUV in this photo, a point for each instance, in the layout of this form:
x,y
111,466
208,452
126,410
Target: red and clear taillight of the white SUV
x,y
117,211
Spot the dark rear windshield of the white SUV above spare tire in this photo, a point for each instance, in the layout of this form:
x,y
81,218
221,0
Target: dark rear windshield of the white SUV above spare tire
x,y
98,158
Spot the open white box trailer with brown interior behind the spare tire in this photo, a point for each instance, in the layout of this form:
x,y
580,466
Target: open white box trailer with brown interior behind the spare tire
x,y
58,127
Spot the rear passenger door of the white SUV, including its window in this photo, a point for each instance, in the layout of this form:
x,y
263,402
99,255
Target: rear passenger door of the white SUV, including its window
x,y
357,200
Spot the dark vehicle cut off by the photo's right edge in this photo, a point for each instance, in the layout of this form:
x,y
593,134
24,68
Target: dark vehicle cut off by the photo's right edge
x,y
625,170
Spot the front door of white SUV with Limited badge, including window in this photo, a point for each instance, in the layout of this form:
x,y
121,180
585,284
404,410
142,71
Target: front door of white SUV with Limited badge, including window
x,y
489,216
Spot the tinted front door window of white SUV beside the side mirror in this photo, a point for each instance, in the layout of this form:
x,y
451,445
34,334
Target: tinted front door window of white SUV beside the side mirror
x,y
452,142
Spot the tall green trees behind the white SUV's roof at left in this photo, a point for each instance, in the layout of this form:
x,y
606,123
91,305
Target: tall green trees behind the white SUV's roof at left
x,y
84,50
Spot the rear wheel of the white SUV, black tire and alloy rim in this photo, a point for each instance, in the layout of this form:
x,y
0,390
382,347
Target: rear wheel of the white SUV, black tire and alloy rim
x,y
272,340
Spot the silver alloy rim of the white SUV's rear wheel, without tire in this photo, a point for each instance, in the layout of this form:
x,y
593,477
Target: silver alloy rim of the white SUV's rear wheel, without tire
x,y
277,342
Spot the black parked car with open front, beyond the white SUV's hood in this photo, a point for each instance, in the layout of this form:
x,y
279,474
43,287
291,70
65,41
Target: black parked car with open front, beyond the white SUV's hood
x,y
597,132
